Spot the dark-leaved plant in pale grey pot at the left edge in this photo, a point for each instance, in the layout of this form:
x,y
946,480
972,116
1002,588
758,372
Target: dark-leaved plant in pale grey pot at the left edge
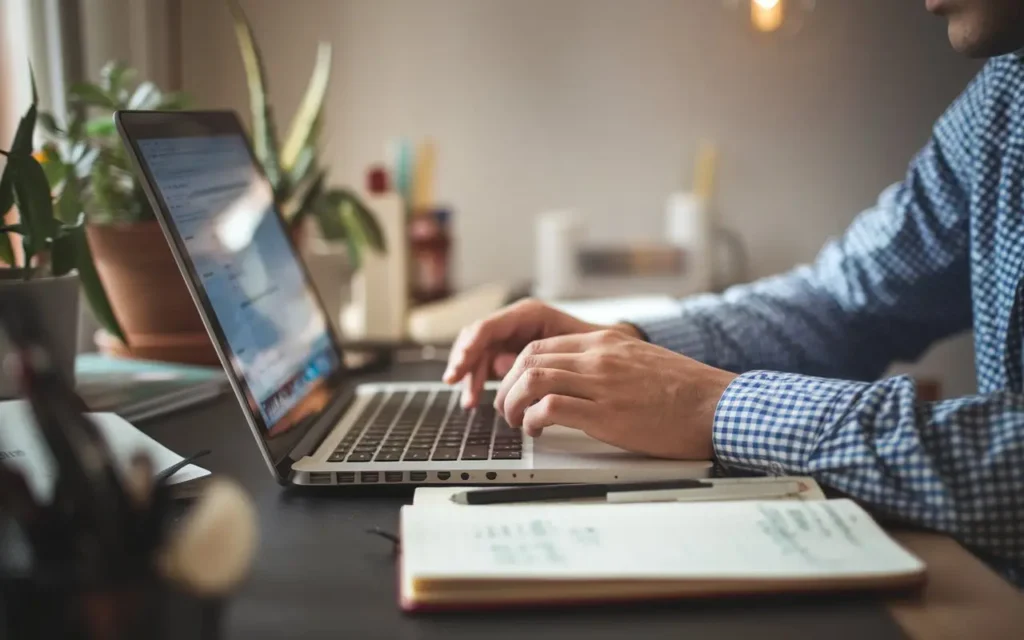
x,y
44,246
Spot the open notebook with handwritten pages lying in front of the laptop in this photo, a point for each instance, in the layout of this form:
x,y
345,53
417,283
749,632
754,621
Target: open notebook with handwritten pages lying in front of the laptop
x,y
560,554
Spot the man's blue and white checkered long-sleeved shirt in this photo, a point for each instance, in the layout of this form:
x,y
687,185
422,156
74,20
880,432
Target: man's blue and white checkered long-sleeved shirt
x,y
941,252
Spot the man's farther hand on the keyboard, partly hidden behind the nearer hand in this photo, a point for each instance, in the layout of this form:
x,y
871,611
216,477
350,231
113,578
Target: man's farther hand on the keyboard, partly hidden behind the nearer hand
x,y
490,348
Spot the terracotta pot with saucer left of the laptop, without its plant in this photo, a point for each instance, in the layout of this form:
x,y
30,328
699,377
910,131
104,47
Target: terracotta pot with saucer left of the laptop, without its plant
x,y
149,296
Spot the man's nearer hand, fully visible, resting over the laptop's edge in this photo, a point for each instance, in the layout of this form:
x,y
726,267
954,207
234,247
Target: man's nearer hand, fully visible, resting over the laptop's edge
x,y
618,390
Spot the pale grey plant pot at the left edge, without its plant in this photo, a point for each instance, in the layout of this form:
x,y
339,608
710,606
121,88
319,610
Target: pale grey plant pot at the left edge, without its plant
x,y
57,302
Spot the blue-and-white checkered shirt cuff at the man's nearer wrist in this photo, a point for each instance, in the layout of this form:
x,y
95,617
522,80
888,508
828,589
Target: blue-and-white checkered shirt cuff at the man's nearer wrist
x,y
773,422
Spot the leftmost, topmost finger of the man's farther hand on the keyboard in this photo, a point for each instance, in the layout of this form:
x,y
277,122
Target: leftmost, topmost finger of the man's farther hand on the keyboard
x,y
520,322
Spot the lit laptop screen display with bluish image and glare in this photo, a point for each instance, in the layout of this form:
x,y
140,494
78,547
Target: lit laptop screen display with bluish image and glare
x,y
272,325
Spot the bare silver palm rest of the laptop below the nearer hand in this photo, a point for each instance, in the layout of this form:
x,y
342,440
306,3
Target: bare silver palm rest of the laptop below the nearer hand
x,y
563,448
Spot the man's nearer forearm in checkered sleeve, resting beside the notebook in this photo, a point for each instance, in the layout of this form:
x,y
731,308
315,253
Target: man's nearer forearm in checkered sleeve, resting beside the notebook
x,y
956,466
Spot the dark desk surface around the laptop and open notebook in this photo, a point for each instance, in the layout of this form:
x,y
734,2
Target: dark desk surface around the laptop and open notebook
x,y
320,575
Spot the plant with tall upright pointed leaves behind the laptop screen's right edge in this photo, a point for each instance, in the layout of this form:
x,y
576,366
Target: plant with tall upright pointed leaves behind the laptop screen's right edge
x,y
344,229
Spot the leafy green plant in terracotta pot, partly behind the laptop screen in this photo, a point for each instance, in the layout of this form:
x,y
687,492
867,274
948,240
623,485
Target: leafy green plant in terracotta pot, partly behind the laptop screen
x,y
150,301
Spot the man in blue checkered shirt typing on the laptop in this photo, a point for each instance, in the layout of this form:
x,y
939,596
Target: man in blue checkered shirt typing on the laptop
x,y
763,377
